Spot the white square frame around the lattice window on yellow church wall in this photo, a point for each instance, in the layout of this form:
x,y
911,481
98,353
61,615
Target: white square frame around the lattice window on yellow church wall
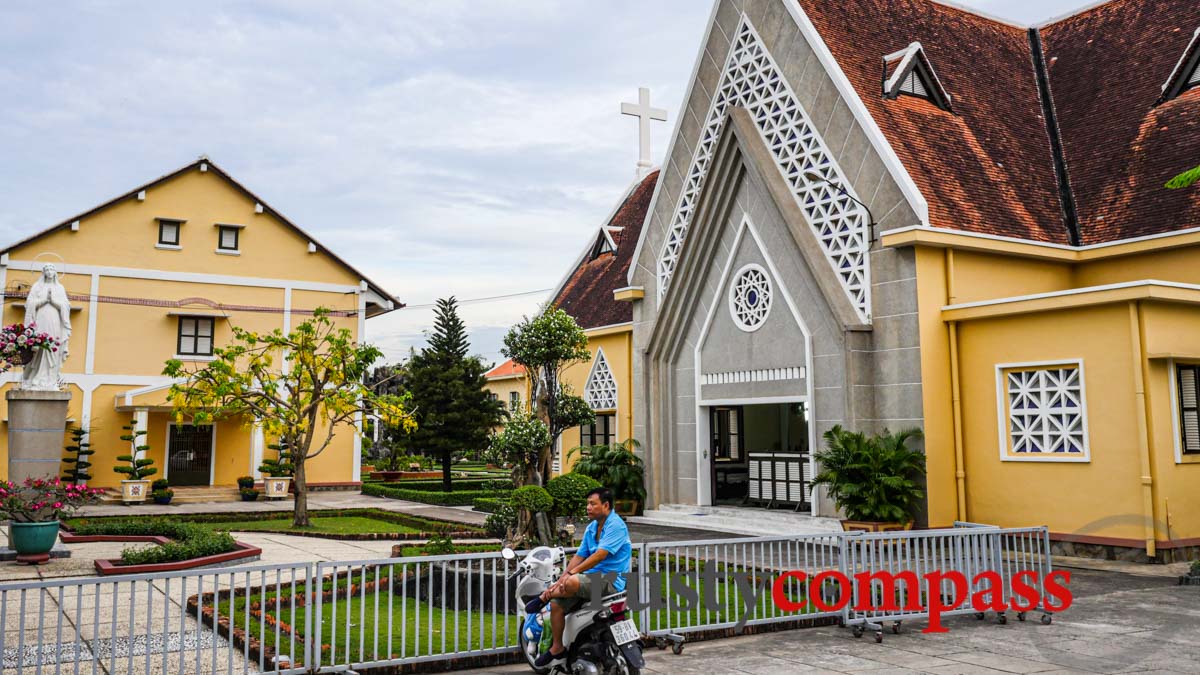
x,y
1004,398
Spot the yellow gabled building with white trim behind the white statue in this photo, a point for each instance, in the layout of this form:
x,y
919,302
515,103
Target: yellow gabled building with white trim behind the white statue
x,y
165,272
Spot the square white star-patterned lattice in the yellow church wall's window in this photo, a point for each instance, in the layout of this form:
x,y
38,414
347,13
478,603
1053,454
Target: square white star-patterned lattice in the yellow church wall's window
x,y
1046,414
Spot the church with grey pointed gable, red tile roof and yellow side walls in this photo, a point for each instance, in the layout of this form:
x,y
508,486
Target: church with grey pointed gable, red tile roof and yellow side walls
x,y
890,214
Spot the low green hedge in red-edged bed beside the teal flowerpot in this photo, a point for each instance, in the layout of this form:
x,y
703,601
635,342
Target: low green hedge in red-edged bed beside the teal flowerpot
x,y
190,541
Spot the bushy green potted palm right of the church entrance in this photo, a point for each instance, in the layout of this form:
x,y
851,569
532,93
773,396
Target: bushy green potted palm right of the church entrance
x,y
874,481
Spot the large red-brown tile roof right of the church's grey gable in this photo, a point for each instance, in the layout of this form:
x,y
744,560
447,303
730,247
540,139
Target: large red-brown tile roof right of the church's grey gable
x,y
989,166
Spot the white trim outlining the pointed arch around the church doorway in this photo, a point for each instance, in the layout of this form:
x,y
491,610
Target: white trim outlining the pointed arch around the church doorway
x,y
704,462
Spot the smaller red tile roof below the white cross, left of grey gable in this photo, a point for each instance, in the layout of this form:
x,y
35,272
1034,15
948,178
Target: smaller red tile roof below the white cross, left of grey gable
x,y
587,294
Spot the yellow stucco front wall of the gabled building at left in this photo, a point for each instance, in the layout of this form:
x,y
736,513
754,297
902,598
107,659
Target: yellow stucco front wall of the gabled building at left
x,y
116,249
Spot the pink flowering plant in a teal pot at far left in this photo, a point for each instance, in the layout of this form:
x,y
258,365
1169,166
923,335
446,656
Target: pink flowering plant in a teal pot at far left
x,y
35,510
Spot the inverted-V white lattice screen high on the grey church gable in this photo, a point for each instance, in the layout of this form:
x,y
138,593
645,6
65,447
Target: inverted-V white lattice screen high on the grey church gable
x,y
754,82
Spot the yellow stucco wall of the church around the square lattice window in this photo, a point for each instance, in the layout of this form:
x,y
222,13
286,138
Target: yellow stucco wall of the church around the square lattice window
x,y
1103,498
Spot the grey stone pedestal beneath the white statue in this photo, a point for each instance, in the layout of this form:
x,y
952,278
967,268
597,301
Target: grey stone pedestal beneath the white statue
x,y
37,433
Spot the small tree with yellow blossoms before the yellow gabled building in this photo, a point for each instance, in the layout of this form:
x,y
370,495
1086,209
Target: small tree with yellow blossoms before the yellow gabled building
x,y
301,387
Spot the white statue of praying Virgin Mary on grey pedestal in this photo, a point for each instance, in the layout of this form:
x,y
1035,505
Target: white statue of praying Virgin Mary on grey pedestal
x,y
49,308
